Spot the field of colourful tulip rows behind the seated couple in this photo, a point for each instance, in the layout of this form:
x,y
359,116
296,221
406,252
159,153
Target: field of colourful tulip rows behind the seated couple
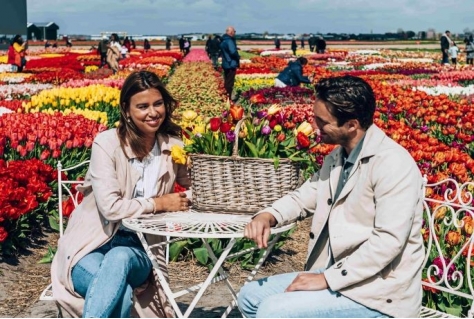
x,y
63,99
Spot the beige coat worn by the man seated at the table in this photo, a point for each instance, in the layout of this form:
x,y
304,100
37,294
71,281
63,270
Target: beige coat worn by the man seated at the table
x,y
374,226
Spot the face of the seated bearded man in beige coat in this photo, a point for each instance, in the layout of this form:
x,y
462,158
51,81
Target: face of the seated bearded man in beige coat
x,y
325,124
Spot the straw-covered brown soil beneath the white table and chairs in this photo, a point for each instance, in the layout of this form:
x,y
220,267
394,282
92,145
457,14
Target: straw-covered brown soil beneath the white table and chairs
x,y
22,279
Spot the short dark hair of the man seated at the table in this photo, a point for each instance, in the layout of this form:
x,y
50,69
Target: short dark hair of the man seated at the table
x,y
347,97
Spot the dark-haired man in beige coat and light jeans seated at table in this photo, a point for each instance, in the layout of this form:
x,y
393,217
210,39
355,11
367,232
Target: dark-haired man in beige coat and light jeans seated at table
x,y
365,250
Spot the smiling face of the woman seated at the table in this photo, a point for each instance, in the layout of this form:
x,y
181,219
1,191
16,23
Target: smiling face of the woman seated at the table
x,y
147,110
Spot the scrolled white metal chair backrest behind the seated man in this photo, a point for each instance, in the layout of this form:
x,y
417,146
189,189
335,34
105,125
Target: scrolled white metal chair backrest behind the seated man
x,y
448,237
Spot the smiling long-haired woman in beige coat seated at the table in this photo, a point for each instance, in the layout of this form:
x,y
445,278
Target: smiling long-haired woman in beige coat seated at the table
x,y
99,263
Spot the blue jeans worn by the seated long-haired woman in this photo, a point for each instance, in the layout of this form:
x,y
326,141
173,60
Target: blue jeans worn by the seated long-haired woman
x,y
107,276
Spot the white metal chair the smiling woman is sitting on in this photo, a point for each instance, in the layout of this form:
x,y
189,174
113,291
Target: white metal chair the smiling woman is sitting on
x,y
47,294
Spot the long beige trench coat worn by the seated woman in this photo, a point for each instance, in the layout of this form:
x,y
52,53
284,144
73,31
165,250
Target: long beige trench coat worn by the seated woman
x,y
112,180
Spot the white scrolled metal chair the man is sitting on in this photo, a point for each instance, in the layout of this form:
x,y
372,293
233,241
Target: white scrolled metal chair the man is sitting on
x,y
447,213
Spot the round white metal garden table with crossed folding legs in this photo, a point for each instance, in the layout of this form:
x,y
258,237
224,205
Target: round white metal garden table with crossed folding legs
x,y
193,224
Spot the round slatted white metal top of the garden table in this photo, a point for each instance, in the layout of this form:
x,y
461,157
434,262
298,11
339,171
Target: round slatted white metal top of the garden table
x,y
193,224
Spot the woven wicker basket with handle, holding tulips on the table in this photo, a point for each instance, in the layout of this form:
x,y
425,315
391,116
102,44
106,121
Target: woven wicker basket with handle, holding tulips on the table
x,y
242,185
